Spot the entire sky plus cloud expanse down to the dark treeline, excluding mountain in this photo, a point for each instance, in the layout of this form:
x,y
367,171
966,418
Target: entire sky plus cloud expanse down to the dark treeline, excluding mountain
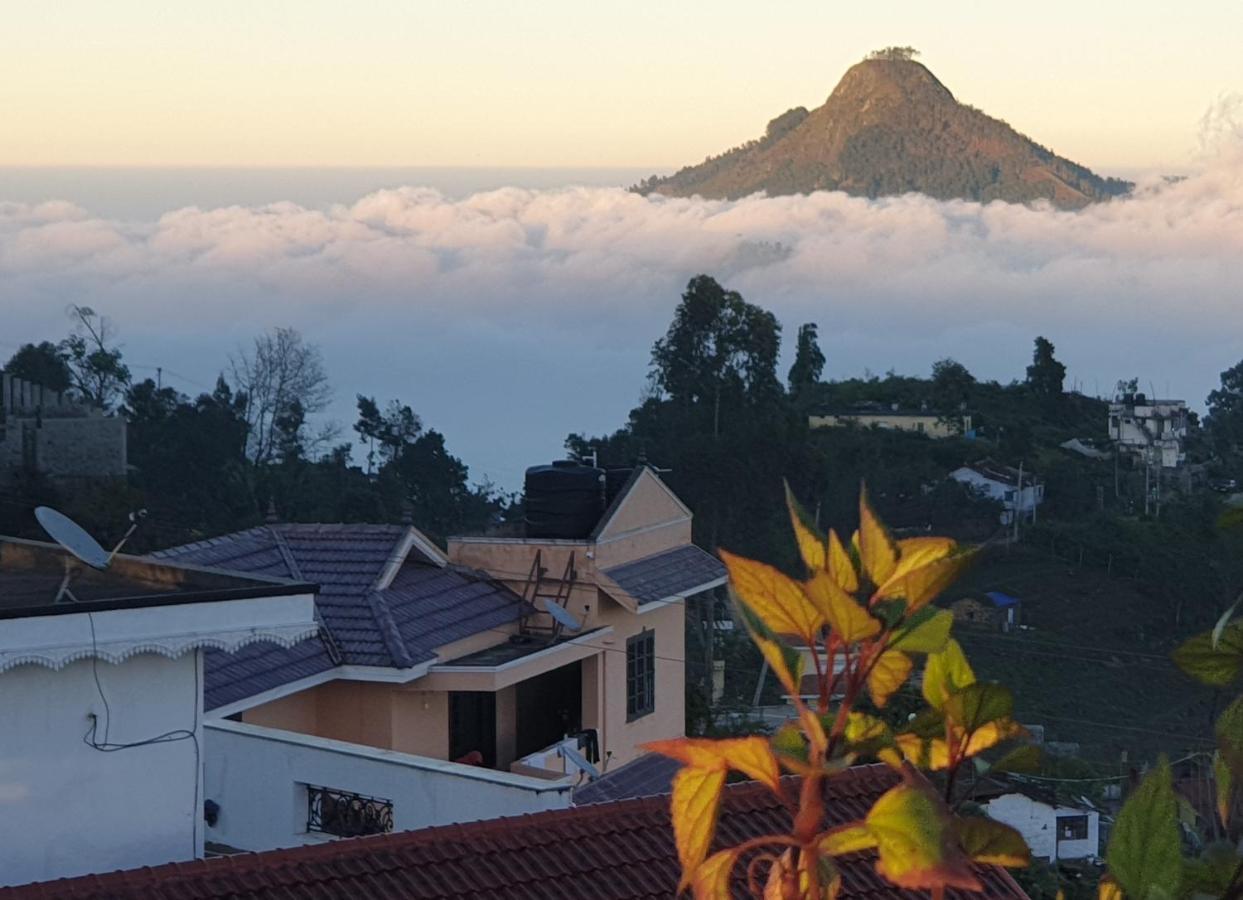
x,y
516,301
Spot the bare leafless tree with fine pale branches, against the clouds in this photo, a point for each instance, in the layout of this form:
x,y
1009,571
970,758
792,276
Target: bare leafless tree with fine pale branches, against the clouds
x,y
280,371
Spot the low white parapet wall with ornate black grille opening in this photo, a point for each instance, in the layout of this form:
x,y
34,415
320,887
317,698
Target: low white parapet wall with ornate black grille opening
x,y
259,778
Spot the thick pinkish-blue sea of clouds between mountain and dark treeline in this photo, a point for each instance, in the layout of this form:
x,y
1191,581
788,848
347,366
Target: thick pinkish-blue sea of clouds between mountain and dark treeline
x,y
511,318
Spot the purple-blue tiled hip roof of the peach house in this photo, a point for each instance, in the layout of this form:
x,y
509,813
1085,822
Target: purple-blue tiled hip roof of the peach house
x,y
424,607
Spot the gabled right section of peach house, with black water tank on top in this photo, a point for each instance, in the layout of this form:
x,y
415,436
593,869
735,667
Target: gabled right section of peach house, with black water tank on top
x,y
622,564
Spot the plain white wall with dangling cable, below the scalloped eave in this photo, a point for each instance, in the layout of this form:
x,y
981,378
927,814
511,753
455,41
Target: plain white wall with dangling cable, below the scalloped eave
x,y
70,810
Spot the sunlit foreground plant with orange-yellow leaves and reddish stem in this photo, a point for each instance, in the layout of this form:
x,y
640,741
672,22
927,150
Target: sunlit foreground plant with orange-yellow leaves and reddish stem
x,y
863,615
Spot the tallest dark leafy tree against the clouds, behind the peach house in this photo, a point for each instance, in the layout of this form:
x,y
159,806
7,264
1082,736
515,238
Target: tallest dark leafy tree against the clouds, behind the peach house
x,y
719,350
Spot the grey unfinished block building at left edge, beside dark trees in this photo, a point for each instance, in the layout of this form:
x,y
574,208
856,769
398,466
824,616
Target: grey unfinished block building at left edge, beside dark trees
x,y
57,434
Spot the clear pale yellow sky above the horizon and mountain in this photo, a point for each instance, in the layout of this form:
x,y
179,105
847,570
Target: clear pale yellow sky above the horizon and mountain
x,y
1118,86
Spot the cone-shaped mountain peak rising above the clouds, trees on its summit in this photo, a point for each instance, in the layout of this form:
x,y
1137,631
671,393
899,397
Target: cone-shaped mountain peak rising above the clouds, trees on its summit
x,y
889,129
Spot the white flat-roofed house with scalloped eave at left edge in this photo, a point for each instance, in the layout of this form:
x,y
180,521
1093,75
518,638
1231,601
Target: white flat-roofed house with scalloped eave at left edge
x,y
101,702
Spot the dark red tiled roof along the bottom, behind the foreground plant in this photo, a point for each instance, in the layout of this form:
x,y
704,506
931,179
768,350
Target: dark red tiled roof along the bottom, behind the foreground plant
x,y
621,851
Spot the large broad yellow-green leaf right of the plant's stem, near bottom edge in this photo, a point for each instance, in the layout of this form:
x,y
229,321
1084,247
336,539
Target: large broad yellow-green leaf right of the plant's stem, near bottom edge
x,y
912,829
